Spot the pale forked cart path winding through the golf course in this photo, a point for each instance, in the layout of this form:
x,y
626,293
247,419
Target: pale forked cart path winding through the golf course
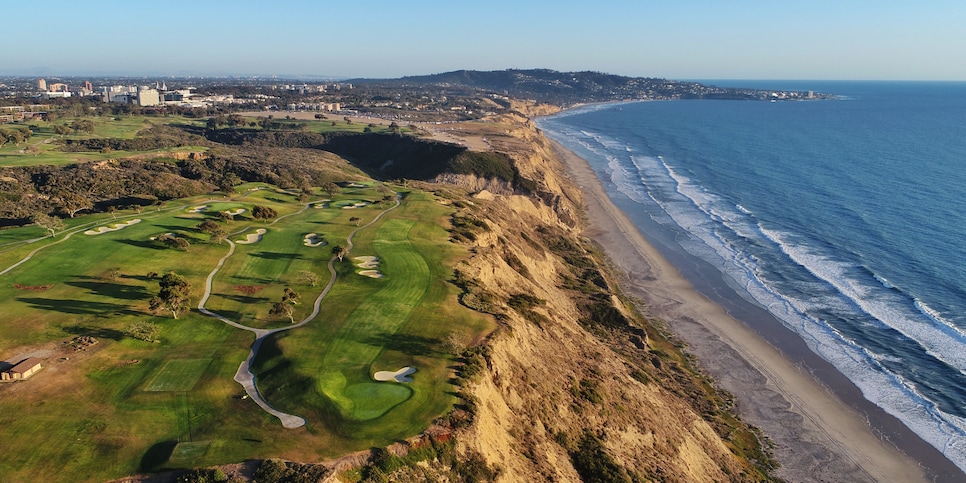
x,y
244,375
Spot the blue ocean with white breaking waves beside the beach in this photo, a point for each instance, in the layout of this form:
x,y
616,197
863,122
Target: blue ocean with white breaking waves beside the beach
x,y
844,218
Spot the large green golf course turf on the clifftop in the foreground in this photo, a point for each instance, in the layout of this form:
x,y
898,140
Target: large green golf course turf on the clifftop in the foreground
x,y
124,408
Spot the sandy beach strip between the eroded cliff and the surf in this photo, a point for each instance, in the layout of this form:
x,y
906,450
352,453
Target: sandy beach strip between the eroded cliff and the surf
x,y
821,425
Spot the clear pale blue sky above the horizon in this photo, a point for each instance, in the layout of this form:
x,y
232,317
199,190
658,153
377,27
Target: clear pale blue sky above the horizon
x,y
678,39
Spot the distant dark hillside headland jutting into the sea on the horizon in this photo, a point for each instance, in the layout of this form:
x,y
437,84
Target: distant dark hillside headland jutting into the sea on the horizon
x,y
567,88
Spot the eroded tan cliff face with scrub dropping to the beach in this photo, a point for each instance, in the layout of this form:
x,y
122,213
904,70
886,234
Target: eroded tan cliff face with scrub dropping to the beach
x,y
572,376
